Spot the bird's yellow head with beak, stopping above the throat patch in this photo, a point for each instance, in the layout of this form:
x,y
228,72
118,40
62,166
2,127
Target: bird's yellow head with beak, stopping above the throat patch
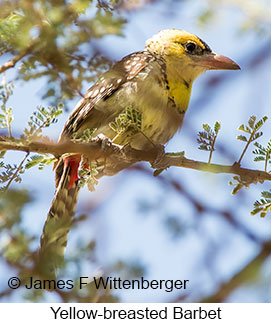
x,y
187,54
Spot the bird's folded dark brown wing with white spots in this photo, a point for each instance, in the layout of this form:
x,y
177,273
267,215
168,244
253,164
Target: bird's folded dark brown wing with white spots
x,y
109,82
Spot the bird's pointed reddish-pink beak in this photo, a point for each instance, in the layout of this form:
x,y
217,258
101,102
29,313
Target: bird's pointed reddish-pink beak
x,y
215,61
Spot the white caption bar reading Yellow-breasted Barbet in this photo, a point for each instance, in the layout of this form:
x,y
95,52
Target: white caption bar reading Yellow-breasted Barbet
x,y
139,312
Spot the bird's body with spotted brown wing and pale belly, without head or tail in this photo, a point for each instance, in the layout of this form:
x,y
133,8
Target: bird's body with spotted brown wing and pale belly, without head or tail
x,y
138,81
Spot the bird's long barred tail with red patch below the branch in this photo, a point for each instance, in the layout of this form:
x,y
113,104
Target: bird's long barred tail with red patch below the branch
x,y
60,217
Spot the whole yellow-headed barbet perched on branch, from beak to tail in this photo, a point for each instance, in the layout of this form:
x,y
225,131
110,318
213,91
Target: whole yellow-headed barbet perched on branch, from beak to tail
x,y
156,83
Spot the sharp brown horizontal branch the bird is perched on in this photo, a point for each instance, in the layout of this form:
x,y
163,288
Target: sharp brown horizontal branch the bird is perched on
x,y
125,155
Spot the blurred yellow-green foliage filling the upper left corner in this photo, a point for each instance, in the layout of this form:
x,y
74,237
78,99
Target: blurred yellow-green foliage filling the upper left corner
x,y
45,36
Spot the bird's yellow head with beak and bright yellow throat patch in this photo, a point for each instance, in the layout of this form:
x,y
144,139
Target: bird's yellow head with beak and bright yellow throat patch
x,y
186,56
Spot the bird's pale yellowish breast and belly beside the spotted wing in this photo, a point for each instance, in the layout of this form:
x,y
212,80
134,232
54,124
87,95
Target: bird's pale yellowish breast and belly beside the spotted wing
x,y
149,95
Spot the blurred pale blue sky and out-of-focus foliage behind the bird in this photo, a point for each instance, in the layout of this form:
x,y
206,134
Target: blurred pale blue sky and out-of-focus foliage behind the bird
x,y
183,224
